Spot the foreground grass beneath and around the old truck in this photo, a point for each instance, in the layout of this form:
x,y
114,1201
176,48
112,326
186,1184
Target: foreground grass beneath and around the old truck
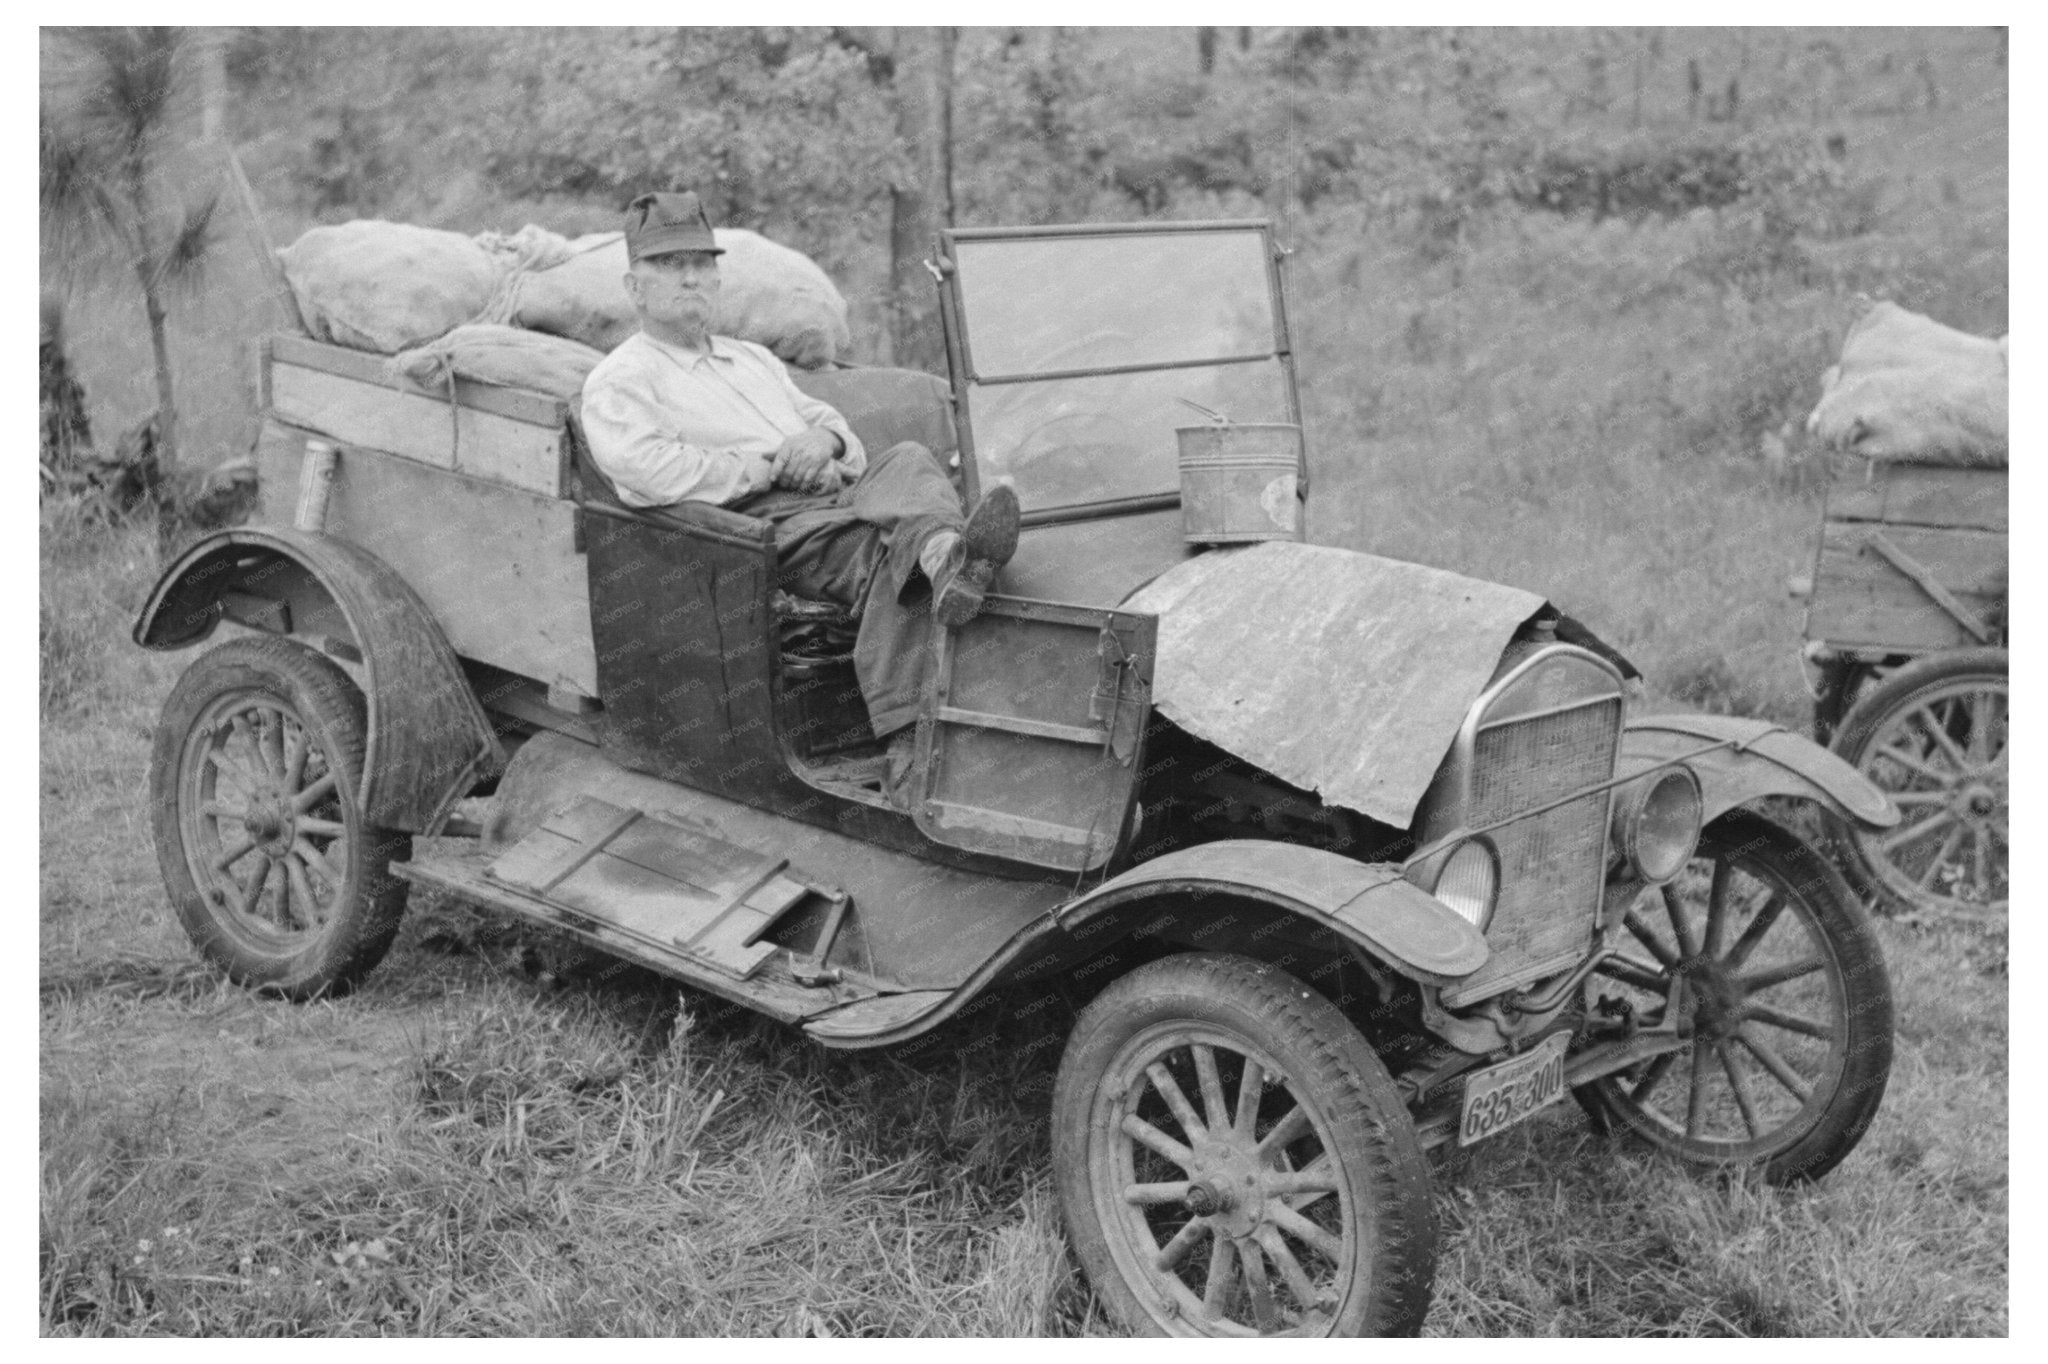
x,y
503,1138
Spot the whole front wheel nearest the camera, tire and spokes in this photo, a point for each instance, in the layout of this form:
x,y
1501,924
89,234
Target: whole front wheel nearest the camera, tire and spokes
x,y
1234,1160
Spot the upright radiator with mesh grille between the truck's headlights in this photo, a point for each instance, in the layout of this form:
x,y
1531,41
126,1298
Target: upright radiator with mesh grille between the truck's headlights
x,y
1551,865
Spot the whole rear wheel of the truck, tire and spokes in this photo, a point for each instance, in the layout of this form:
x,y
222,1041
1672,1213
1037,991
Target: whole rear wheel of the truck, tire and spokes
x,y
267,857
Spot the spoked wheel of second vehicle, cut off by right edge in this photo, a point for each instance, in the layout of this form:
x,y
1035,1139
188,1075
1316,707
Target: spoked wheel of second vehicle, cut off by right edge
x,y
1932,736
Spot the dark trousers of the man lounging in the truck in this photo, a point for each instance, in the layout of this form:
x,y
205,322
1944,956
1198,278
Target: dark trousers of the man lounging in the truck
x,y
859,548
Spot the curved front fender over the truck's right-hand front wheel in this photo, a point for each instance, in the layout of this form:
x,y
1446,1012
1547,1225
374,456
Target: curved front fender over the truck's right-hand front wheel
x,y
1748,759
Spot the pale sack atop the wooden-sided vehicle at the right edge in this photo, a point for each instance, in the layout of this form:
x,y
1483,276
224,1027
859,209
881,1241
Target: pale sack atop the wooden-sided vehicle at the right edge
x,y
1918,392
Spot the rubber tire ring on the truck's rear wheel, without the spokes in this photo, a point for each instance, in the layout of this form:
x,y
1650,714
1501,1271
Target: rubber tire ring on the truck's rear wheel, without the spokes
x,y
372,902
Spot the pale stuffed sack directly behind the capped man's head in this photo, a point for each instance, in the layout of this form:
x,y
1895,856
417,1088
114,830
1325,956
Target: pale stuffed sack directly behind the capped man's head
x,y
771,296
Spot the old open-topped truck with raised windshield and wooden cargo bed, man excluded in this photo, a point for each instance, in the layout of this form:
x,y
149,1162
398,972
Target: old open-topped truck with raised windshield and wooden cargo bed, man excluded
x,y
1355,859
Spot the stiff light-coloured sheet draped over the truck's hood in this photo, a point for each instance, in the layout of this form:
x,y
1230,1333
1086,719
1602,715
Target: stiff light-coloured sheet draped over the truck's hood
x,y
1338,673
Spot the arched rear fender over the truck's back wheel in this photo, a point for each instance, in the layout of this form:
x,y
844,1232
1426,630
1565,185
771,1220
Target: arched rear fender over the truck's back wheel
x,y
429,740
